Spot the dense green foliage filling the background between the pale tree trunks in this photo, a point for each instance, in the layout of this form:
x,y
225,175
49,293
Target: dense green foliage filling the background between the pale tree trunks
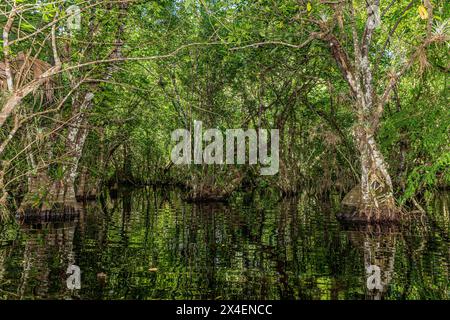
x,y
235,64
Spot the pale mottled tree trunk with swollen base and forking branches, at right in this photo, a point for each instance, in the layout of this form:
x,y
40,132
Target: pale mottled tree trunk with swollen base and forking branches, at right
x,y
374,200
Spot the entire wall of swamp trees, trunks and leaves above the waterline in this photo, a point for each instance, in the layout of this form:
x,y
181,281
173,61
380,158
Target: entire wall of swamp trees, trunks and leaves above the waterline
x,y
358,90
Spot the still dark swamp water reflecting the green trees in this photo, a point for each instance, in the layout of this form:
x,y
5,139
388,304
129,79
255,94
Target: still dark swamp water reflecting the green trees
x,y
149,244
